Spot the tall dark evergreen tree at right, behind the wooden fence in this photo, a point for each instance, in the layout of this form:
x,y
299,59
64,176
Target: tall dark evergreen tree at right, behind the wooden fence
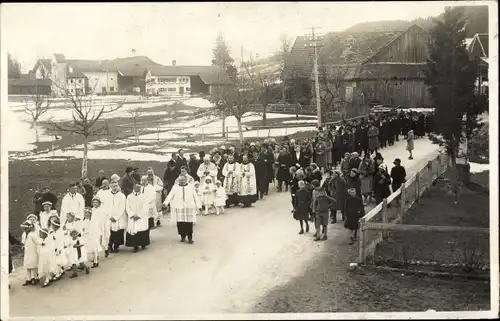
x,y
451,76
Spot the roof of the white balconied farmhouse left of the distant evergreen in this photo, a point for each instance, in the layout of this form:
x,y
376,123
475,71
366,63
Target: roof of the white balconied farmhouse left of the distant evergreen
x,y
211,75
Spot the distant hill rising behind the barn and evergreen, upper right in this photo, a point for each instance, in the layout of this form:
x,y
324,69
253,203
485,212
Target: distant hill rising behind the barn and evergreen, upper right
x,y
476,16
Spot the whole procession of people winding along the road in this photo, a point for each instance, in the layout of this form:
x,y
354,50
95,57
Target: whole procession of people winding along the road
x,y
339,170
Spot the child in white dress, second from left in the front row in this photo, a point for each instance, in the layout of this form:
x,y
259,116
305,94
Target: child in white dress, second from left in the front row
x,y
46,257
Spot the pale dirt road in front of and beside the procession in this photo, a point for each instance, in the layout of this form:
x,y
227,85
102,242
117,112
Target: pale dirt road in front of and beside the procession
x,y
238,257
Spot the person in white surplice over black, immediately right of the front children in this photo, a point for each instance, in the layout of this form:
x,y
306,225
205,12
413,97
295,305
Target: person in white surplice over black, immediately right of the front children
x,y
118,217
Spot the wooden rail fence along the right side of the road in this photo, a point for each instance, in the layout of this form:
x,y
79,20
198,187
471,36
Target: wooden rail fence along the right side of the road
x,y
376,224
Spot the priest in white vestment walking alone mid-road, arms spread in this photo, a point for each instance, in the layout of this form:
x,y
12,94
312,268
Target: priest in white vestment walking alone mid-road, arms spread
x,y
184,204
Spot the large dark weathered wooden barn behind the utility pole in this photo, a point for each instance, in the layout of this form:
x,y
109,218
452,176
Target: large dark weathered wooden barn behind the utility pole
x,y
365,68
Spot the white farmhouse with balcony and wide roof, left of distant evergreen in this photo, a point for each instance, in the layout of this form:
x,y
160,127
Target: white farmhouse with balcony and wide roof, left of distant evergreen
x,y
183,80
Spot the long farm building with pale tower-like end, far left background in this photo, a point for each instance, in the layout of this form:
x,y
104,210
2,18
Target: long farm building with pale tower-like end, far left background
x,y
122,75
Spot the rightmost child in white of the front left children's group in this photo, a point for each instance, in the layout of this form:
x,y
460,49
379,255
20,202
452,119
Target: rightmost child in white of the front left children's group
x,y
91,232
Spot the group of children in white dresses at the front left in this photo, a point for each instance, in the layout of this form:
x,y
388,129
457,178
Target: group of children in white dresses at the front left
x,y
51,248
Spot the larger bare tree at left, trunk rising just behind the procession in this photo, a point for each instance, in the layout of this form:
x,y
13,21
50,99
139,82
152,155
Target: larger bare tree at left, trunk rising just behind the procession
x,y
85,114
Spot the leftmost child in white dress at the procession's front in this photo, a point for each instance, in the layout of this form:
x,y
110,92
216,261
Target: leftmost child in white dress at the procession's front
x,y
31,243
